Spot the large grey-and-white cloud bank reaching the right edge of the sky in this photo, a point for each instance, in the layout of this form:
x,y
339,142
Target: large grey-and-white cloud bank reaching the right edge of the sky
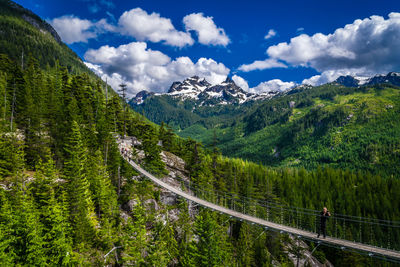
x,y
363,47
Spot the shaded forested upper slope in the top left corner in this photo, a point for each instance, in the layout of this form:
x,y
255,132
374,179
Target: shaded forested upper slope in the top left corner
x,y
23,33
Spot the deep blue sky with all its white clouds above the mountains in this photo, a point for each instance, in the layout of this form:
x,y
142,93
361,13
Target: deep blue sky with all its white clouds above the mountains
x,y
264,45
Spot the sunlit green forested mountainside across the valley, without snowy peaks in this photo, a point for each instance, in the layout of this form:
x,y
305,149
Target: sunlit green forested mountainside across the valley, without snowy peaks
x,y
336,126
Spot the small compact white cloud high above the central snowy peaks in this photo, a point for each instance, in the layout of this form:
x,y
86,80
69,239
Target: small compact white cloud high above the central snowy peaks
x,y
208,33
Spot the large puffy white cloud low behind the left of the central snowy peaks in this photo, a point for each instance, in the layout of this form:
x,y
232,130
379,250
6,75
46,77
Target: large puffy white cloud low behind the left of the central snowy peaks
x,y
144,69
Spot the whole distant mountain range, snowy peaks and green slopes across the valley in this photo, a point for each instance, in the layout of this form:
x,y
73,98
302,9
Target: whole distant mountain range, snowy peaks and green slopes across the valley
x,y
304,126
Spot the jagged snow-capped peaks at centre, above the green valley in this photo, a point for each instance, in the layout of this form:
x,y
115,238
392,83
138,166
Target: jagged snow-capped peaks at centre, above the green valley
x,y
203,93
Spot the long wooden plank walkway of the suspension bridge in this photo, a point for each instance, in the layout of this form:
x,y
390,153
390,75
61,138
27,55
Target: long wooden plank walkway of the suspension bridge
x,y
376,251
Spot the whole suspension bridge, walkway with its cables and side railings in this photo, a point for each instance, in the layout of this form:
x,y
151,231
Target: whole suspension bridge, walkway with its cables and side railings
x,y
296,221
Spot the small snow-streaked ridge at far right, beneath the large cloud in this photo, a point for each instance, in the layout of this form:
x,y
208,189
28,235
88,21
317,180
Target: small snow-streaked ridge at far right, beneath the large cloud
x,y
350,81
